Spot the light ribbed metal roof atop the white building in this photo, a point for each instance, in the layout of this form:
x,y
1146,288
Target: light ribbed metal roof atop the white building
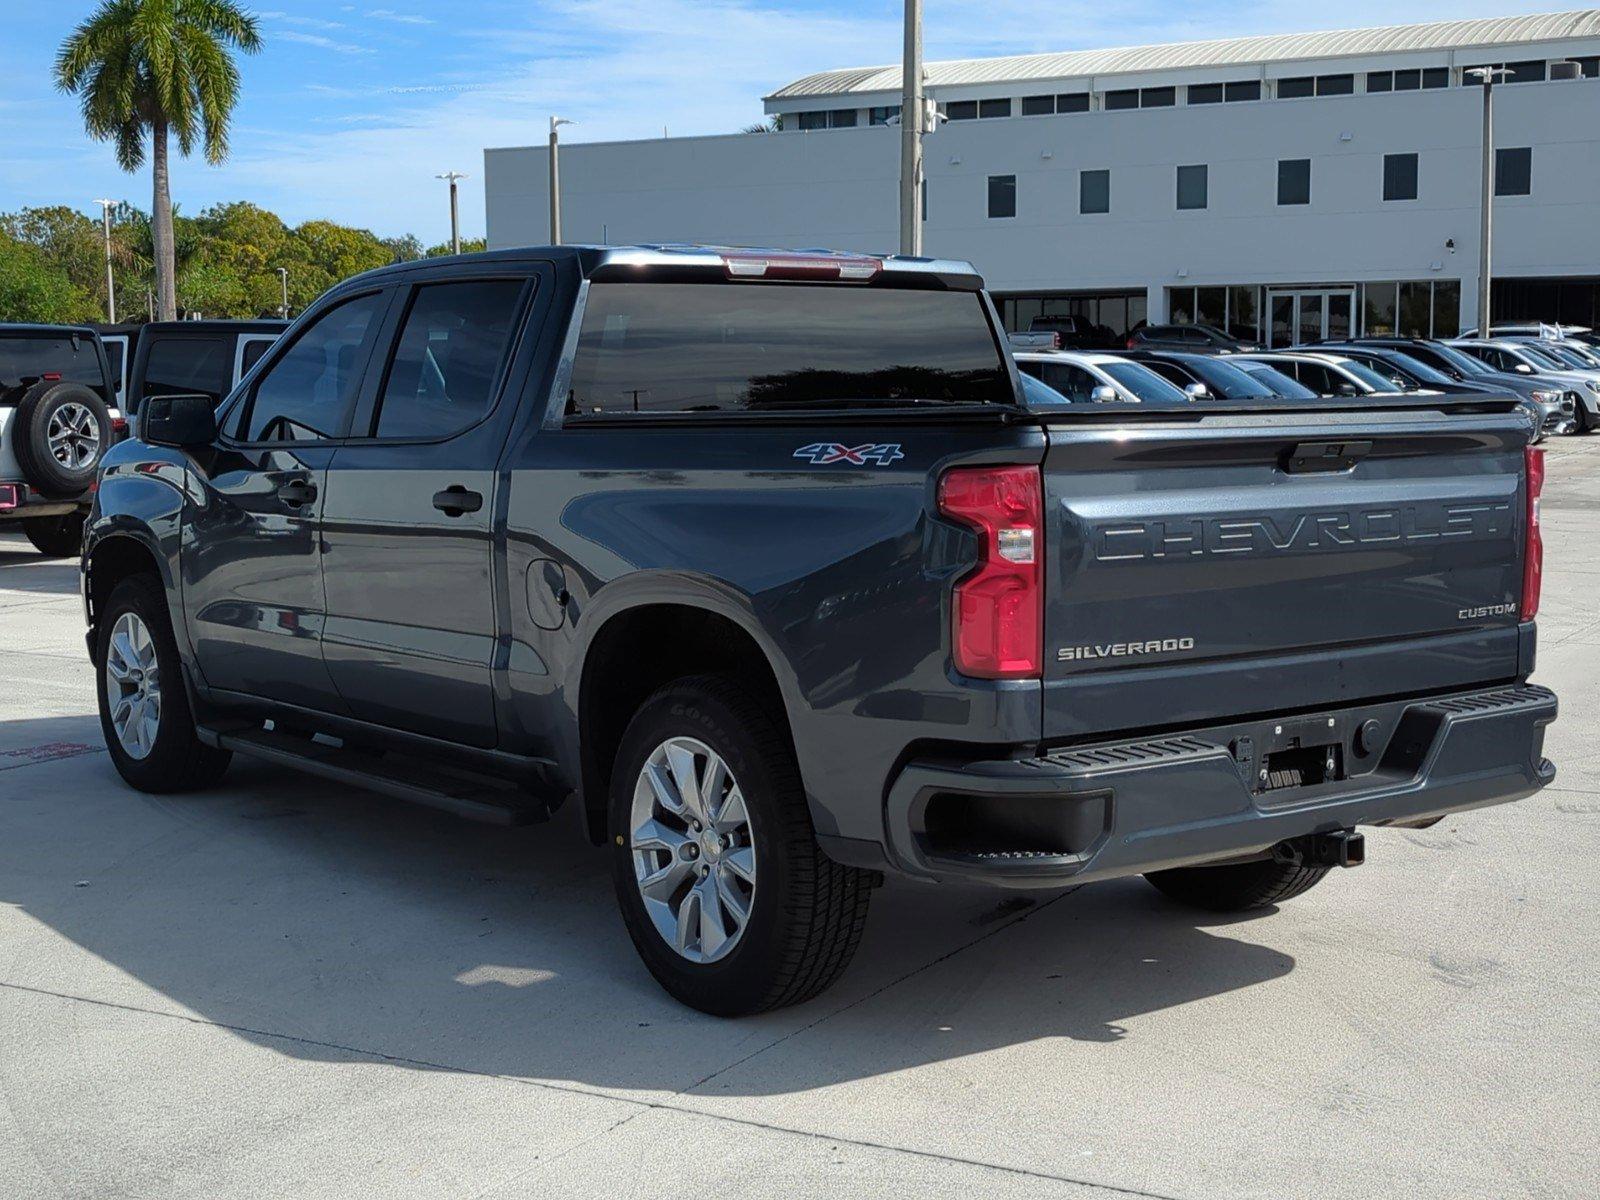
x,y
1502,31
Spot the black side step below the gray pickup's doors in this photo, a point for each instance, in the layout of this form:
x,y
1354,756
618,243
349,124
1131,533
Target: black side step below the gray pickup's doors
x,y
406,778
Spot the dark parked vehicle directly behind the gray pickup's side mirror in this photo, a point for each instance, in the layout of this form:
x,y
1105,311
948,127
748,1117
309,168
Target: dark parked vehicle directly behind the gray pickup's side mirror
x,y
196,358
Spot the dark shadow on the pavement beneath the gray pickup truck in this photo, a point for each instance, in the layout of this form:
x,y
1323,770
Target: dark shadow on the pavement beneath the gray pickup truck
x,y
316,921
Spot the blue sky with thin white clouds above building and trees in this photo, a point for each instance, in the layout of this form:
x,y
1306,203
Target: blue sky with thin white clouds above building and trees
x,y
354,108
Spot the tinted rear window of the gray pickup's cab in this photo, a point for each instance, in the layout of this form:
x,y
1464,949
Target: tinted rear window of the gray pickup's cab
x,y
708,348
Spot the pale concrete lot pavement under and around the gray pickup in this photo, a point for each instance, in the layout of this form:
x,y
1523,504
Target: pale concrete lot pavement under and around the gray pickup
x,y
287,990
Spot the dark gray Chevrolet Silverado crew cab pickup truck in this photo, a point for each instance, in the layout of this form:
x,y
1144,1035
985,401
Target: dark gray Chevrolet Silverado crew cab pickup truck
x,y
761,564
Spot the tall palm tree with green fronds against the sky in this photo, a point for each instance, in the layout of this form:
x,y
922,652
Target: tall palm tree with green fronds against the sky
x,y
159,68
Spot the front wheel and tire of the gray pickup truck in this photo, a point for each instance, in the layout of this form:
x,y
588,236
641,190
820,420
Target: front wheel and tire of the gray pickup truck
x,y
174,759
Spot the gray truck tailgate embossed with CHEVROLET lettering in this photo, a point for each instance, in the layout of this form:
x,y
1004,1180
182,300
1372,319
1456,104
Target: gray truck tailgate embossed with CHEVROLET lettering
x,y
1257,564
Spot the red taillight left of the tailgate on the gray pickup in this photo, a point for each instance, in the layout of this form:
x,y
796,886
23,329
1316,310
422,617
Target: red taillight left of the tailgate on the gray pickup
x,y
998,625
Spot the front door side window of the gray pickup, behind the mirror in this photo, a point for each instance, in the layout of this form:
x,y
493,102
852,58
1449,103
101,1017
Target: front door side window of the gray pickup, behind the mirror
x,y
308,391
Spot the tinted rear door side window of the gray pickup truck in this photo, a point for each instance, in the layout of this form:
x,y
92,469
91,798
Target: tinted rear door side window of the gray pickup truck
x,y
449,358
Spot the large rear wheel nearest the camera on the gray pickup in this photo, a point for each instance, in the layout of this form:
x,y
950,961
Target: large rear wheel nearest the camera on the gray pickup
x,y
806,913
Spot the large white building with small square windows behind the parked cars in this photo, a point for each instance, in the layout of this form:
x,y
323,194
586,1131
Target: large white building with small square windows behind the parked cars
x,y
1298,185
